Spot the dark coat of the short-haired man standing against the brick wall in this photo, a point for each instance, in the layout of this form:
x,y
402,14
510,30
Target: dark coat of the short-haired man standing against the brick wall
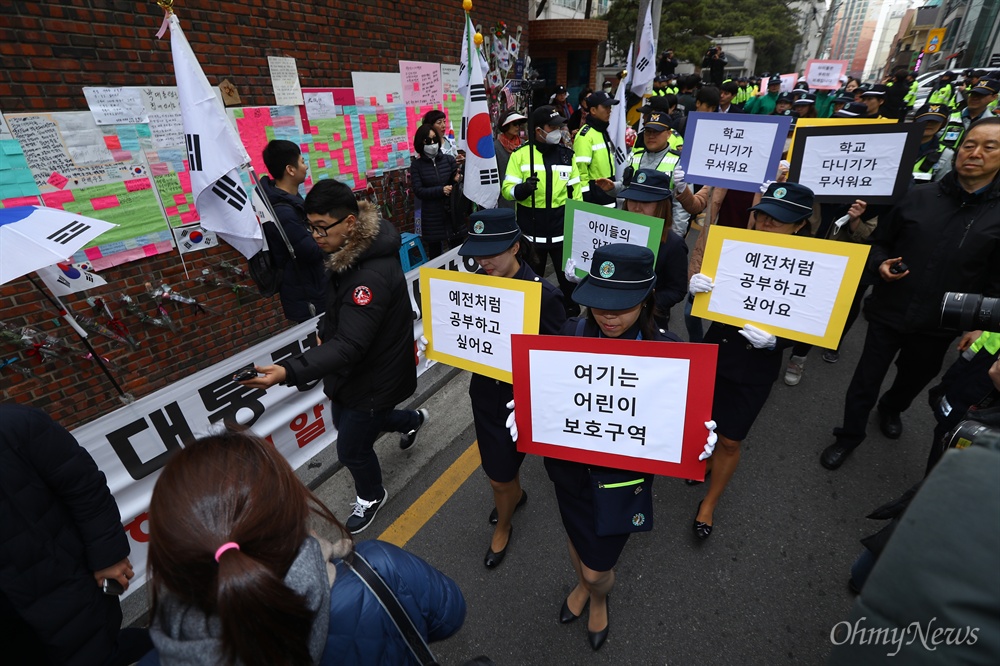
x,y
303,282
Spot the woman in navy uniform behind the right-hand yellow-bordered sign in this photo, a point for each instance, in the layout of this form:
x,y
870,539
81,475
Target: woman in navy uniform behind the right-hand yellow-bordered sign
x,y
749,359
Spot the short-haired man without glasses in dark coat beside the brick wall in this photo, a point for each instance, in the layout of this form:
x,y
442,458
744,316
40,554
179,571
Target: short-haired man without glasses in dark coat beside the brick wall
x,y
303,281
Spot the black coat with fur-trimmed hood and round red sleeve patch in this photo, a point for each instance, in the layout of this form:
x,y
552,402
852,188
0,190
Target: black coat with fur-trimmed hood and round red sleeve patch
x,y
367,359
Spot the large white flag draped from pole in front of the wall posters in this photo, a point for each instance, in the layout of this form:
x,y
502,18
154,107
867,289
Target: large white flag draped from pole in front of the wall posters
x,y
215,153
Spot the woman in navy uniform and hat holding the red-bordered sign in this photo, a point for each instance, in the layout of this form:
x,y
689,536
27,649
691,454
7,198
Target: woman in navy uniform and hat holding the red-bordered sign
x,y
618,293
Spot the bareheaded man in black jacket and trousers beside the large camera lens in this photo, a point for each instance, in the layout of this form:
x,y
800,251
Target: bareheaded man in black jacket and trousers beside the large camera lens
x,y
940,237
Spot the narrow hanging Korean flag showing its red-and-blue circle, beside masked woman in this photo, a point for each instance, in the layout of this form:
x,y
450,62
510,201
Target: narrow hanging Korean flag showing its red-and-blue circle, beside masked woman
x,y
482,178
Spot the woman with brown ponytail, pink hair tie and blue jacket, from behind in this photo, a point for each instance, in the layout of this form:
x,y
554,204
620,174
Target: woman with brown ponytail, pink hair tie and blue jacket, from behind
x,y
238,577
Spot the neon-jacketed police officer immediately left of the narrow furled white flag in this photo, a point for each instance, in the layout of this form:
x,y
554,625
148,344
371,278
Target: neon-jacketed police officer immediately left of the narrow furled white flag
x,y
593,150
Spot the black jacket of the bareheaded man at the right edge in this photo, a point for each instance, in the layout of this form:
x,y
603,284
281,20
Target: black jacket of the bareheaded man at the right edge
x,y
950,241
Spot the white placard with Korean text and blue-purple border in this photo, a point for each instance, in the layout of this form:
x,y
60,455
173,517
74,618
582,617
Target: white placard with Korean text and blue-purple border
x,y
734,151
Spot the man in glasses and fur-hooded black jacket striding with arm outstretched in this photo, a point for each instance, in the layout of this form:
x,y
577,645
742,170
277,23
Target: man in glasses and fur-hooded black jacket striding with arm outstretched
x,y
366,356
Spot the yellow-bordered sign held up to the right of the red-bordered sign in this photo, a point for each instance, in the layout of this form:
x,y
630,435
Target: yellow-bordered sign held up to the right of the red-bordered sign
x,y
796,288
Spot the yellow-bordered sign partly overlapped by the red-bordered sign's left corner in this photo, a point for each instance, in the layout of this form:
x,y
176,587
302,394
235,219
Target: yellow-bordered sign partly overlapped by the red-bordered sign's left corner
x,y
469,318
